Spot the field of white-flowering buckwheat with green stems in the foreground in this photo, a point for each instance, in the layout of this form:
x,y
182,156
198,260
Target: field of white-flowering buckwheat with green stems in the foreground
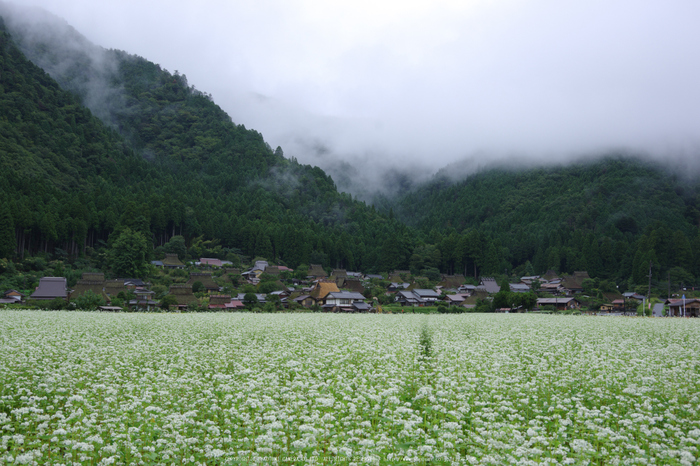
x,y
227,389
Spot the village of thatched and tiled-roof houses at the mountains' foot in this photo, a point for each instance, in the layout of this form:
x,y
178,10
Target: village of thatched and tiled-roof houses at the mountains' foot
x,y
211,284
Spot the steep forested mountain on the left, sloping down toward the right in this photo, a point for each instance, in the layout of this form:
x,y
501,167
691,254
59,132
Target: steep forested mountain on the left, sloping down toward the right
x,y
170,163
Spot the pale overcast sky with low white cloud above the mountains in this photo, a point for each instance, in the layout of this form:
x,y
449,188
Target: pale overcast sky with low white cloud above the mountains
x,y
427,82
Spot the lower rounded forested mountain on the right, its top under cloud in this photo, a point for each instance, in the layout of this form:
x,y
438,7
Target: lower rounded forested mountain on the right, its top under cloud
x,y
610,216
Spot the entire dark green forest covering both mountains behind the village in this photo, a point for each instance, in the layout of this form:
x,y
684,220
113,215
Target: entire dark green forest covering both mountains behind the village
x,y
150,158
